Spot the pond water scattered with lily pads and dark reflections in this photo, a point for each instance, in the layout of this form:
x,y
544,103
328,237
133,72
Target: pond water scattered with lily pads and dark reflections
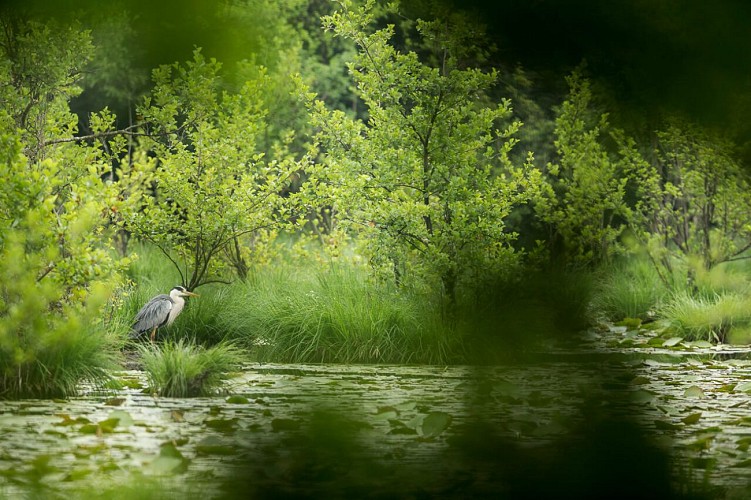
x,y
669,420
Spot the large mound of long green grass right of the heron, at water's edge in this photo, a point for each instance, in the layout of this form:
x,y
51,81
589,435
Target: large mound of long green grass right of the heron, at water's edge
x,y
337,314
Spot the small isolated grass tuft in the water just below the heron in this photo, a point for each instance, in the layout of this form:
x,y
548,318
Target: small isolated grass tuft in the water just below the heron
x,y
184,369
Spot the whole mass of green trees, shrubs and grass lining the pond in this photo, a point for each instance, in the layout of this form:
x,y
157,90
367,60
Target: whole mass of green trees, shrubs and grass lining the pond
x,y
385,150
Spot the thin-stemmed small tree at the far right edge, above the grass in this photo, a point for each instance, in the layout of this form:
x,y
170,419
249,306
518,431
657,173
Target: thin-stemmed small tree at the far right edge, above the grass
x,y
693,198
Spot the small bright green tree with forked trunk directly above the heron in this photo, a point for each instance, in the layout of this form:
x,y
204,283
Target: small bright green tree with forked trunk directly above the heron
x,y
213,190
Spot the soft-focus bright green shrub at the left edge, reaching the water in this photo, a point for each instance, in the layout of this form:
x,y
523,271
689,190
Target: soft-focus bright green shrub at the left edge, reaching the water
x,y
49,343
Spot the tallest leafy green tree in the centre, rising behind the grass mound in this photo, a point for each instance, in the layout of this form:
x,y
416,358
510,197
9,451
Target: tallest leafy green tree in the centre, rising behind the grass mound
x,y
427,179
